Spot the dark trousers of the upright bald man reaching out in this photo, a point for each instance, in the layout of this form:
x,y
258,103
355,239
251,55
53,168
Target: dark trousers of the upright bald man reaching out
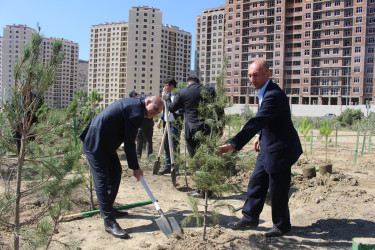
x,y
278,185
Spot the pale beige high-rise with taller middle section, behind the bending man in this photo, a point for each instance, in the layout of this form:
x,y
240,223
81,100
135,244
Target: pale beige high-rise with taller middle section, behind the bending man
x,y
136,55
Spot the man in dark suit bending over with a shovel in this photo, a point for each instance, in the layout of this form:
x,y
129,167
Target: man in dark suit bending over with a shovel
x,y
116,124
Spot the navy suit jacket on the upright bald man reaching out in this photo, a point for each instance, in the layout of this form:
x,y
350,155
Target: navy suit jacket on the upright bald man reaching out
x,y
280,146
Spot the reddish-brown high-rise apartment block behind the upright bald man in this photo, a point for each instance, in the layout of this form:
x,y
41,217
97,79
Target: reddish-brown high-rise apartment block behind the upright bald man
x,y
320,52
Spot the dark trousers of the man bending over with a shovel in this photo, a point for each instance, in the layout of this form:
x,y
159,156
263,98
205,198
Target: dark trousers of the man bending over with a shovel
x,y
106,173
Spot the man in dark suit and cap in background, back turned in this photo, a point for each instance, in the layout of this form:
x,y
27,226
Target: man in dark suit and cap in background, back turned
x,y
189,98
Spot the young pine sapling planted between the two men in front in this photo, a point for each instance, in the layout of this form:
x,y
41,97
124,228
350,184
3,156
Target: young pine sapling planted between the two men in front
x,y
213,170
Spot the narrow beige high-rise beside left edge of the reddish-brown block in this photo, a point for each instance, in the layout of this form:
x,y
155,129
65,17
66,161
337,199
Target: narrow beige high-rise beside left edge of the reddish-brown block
x,y
209,44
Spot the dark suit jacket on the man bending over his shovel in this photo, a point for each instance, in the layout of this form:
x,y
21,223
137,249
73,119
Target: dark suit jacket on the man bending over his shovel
x,y
116,124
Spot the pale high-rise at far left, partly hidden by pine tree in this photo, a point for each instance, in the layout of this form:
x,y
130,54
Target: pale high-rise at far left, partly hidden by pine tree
x,y
61,92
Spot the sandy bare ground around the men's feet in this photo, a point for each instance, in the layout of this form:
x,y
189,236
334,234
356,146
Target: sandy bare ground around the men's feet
x,y
326,211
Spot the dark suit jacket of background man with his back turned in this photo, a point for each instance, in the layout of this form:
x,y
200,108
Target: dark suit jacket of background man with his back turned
x,y
189,98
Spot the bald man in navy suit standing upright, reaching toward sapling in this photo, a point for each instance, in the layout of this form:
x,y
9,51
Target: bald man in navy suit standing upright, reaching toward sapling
x,y
279,148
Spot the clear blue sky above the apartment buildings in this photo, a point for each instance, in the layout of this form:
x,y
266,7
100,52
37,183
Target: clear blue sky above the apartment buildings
x,y
72,19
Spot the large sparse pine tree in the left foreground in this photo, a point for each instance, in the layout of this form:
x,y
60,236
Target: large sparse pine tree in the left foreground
x,y
45,156
